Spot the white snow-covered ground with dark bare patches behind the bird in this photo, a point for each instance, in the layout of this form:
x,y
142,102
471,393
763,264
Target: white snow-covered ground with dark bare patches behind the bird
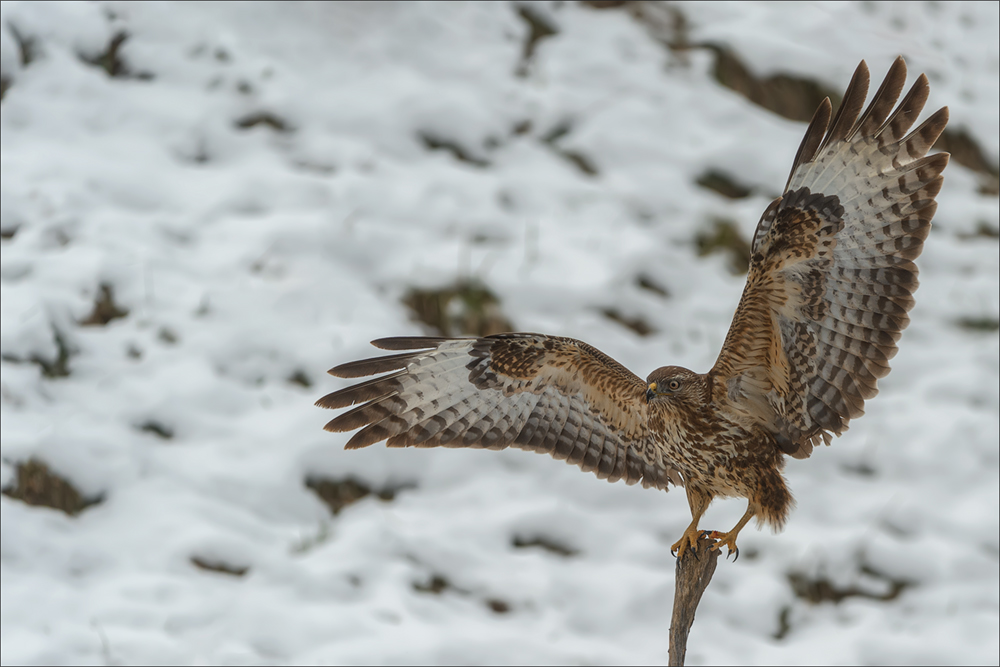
x,y
248,256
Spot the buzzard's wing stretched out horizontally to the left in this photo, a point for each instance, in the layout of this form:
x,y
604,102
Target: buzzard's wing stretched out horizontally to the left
x,y
551,395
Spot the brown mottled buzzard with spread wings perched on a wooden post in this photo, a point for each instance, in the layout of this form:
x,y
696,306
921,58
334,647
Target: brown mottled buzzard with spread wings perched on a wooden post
x,y
830,283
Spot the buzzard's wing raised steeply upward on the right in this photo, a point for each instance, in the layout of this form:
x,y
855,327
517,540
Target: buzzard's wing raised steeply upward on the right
x,y
831,270
